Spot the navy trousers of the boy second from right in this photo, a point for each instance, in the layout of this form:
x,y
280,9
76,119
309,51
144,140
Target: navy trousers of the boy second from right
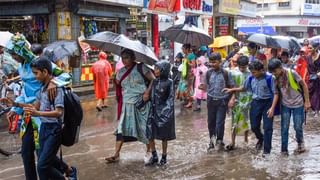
x,y
258,111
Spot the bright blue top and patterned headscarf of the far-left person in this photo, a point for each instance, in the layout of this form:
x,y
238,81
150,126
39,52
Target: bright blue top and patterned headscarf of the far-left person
x,y
30,85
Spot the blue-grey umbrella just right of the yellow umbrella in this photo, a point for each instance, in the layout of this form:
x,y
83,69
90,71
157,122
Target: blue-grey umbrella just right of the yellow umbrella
x,y
263,40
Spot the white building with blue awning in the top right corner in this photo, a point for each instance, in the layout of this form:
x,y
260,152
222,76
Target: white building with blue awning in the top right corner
x,y
299,18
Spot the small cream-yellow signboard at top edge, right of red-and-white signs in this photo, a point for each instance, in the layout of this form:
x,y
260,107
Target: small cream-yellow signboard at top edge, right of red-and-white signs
x,y
229,7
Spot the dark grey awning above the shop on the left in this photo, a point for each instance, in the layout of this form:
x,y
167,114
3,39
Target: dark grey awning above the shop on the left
x,y
96,10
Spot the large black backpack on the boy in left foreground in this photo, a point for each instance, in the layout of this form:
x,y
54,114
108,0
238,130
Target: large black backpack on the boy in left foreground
x,y
73,115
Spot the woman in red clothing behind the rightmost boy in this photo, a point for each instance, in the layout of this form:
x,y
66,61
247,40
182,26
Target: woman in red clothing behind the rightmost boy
x,y
301,65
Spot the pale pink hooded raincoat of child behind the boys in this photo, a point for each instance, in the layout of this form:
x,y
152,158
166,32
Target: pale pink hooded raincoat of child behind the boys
x,y
199,73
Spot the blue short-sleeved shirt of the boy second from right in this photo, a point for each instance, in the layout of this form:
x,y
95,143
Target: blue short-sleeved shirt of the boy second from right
x,y
259,88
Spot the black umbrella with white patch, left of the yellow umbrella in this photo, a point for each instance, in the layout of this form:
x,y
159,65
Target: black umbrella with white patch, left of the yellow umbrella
x,y
188,34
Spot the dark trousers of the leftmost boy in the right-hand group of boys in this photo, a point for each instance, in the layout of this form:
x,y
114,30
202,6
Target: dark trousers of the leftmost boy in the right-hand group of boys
x,y
217,110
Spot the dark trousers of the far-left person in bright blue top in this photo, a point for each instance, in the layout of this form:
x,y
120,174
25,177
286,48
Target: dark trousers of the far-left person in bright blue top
x,y
27,153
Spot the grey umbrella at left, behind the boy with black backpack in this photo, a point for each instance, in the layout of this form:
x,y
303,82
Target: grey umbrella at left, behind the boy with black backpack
x,y
60,49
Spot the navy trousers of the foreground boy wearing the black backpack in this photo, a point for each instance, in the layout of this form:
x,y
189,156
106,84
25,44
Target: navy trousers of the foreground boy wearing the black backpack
x,y
50,141
